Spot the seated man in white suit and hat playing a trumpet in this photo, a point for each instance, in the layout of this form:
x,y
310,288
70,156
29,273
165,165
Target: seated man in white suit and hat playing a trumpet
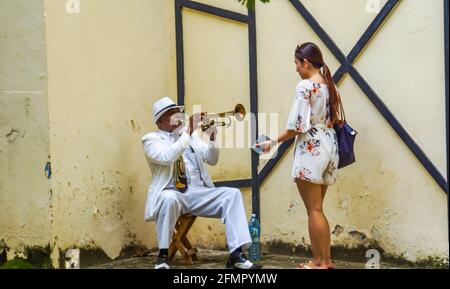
x,y
181,185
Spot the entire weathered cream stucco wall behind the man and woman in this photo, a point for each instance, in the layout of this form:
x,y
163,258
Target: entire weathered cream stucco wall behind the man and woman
x,y
106,66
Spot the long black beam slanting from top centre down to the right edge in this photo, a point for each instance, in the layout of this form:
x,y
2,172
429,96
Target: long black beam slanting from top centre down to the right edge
x,y
373,97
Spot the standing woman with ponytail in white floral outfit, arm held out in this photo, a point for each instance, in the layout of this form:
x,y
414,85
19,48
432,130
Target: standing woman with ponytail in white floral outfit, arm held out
x,y
313,113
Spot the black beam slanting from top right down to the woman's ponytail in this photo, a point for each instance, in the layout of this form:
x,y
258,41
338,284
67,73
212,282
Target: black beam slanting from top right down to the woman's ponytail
x,y
367,36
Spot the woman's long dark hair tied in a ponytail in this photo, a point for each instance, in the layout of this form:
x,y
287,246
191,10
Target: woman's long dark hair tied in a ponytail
x,y
312,53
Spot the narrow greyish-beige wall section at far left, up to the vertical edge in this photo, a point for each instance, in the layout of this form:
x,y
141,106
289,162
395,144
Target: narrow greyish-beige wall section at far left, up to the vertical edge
x,y
25,198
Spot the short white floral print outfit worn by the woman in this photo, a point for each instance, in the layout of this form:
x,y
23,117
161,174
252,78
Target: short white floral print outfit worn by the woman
x,y
316,151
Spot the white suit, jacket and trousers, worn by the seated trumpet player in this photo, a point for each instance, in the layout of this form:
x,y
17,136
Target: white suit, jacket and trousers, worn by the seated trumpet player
x,y
165,204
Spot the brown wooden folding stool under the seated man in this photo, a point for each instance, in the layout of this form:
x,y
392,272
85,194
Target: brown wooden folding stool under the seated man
x,y
180,241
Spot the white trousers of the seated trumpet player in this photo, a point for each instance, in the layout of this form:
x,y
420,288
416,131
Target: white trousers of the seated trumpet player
x,y
223,202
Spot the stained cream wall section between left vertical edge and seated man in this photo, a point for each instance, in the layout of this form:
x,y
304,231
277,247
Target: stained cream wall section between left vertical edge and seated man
x,y
107,65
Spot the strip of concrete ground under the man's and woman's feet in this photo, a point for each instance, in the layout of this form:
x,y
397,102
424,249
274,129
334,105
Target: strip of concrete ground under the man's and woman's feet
x,y
212,259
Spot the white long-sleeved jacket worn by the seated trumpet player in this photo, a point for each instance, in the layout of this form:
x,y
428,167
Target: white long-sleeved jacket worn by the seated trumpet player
x,y
162,152
